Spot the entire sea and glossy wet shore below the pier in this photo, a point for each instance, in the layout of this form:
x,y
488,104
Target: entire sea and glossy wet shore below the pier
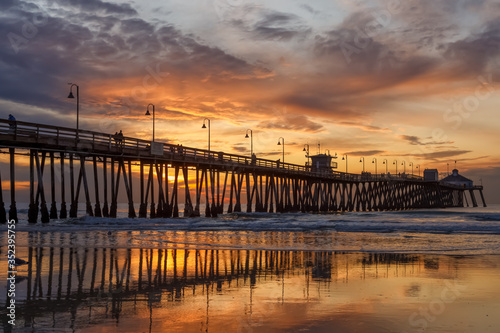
x,y
433,270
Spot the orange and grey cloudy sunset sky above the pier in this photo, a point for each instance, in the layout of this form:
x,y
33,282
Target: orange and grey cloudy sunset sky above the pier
x,y
413,81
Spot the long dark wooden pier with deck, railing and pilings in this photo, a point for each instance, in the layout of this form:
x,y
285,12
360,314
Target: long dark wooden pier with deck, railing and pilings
x,y
99,163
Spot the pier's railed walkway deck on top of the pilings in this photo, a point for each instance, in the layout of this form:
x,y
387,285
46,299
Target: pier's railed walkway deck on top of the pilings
x,y
31,134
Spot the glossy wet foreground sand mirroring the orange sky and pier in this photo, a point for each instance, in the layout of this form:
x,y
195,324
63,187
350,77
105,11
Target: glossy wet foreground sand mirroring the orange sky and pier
x,y
107,286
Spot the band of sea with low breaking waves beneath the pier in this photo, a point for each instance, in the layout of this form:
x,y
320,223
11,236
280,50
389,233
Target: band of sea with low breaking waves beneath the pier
x,y
453,230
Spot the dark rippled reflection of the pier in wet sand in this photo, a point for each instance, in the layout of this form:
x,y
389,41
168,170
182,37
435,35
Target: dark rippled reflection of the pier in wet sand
x,y
78,287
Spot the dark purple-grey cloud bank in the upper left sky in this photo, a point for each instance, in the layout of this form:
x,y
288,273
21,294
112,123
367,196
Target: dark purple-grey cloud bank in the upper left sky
x,y
88,41
